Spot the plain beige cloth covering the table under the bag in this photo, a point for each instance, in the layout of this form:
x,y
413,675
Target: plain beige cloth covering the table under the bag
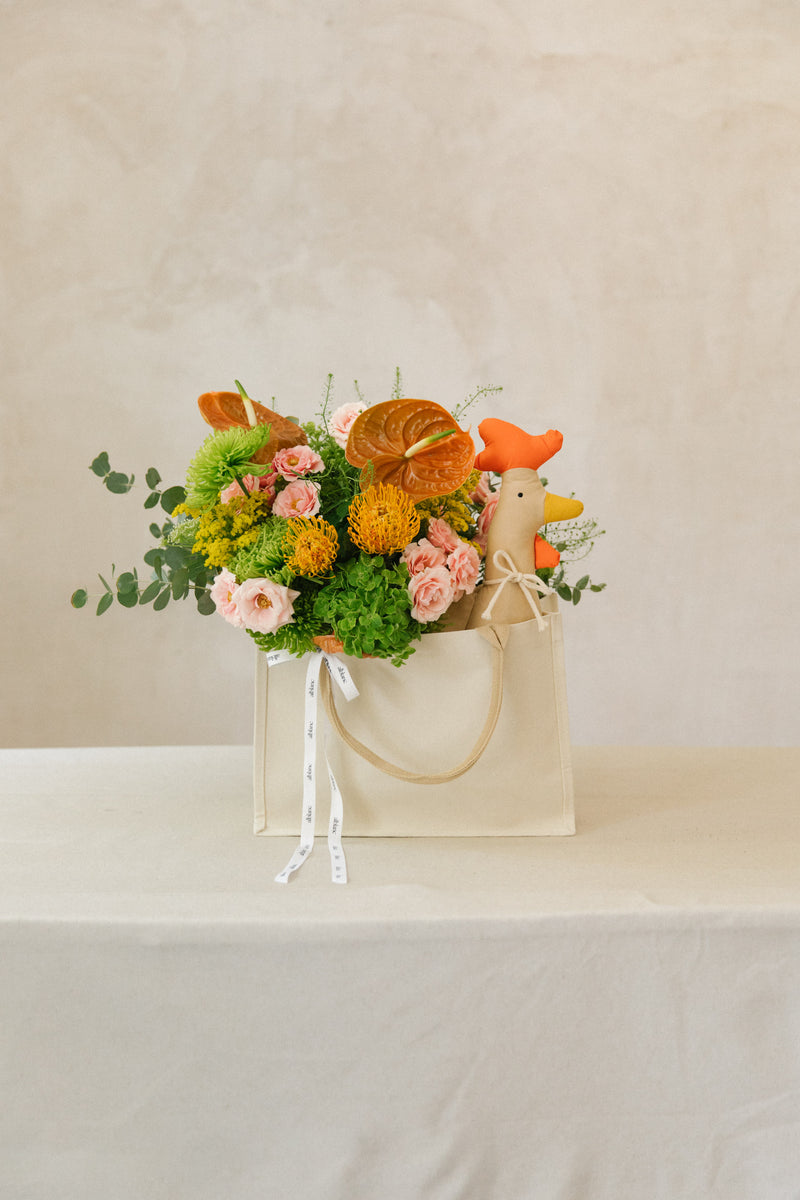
x,y
611,1016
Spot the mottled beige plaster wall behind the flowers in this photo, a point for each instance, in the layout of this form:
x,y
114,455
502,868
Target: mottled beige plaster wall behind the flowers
x,y
596,205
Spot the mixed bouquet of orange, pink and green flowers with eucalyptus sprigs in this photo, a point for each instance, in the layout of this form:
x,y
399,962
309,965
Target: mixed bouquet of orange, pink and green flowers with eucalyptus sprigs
x,y
358,532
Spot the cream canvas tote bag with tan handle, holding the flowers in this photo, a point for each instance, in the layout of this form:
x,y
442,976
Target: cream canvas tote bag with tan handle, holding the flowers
x,y
468,739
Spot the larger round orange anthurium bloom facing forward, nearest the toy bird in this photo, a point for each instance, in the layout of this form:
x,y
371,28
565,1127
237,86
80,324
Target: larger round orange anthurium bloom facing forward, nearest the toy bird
x,y
413,445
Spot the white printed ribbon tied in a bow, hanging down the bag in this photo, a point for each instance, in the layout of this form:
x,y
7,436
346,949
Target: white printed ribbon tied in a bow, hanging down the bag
x,y
344,680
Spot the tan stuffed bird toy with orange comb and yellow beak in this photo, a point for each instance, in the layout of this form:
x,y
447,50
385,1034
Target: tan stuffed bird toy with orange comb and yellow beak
x,y
515,550
